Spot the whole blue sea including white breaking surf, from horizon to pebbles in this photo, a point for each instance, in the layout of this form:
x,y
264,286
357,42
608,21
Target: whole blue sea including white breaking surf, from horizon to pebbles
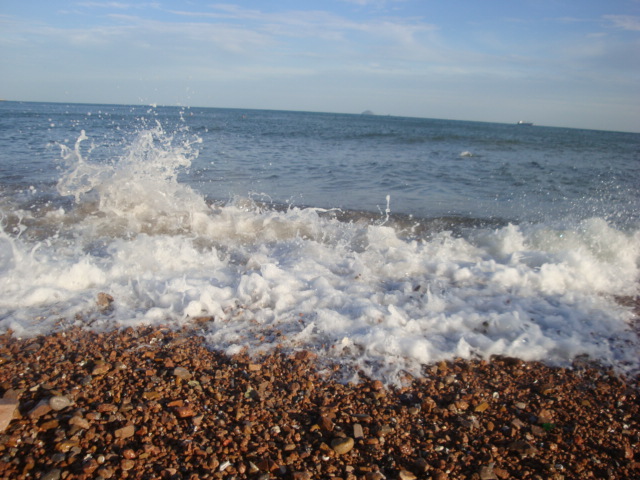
x,y
383,244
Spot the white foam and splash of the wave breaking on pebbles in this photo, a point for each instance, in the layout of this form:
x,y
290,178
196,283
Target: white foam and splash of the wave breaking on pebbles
x,y
354,292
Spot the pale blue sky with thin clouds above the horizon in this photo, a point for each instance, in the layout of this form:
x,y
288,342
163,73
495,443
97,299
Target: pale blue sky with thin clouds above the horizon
x,y
571,63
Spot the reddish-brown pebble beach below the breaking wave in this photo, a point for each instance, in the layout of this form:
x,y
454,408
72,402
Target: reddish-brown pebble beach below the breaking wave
x,y
156,403
